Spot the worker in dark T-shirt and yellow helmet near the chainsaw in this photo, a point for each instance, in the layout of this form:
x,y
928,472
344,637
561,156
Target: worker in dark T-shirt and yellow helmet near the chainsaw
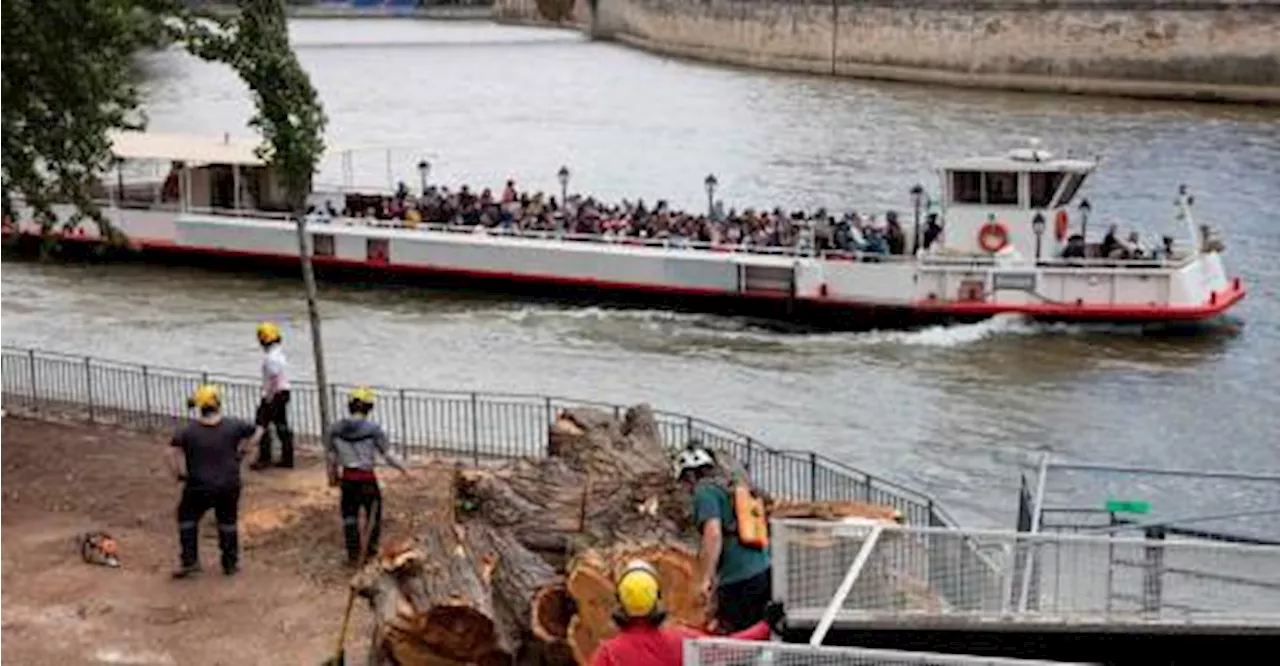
x,y
205,457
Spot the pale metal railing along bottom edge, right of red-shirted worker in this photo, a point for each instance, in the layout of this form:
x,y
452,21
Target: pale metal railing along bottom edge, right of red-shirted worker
x,y
726,653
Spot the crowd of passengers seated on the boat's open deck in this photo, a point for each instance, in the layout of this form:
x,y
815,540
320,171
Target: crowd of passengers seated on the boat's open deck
x,y
514,212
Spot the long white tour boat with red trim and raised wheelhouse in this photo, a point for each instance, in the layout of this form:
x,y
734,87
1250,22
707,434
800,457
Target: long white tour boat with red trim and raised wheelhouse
x,y
1007,223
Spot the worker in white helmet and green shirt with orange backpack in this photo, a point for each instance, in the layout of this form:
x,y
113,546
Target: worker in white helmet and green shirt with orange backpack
x,y
738,573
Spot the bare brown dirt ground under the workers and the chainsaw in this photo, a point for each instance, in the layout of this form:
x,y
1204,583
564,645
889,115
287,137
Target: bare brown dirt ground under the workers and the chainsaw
x,y
285,608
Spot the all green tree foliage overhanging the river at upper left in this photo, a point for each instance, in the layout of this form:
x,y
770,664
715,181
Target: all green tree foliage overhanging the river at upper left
x,y
67,81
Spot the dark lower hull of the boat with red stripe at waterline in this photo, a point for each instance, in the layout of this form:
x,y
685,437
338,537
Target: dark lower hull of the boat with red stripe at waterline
x,y
770,309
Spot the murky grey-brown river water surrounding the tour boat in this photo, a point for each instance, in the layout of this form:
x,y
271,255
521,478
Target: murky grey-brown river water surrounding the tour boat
x,y
954,410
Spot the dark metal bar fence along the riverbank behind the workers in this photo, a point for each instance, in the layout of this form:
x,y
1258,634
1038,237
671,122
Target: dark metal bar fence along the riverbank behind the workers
x,y
467,425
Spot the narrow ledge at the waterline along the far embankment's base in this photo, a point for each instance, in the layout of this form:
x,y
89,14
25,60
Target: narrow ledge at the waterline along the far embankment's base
x,y
1151,90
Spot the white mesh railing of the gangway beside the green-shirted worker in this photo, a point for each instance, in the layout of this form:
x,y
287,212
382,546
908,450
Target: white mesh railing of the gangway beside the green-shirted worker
x,y
922,574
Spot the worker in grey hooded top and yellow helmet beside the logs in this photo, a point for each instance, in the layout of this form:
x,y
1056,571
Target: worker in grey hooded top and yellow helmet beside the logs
x,y
353,446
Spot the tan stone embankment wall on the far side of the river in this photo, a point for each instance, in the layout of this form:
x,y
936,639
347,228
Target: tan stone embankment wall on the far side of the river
x,y
1214,51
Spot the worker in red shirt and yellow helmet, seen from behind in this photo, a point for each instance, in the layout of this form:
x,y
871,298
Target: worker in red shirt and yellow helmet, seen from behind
x,y
642,641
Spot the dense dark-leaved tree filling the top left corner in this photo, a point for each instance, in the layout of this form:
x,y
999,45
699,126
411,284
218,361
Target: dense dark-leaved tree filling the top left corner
x,y
66,81
